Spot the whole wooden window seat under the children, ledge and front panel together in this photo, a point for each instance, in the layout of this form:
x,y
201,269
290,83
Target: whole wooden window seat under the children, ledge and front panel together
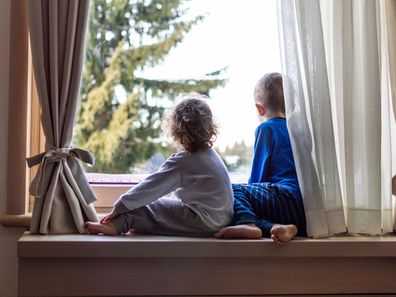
x,y
88,265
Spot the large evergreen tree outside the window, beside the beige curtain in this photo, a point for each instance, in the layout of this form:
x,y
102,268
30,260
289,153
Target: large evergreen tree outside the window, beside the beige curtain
x,y
125,37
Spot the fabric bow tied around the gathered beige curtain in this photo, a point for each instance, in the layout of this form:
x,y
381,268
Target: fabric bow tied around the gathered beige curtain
x,y
54,155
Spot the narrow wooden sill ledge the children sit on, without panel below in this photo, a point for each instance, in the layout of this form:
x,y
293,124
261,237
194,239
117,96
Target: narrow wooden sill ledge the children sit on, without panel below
x,y
83,246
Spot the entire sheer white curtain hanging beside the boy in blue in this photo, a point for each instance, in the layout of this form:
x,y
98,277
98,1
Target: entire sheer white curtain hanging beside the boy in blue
x,y
338,102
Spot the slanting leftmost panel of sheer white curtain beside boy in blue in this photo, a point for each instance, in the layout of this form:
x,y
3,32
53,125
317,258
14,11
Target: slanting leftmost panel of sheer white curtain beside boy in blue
x,y
309,115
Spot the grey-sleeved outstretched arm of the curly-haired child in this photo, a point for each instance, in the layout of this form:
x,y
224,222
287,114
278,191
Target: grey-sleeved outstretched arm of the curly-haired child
x,y
164,181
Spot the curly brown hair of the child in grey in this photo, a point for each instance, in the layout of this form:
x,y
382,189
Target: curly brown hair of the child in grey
x,y
191,124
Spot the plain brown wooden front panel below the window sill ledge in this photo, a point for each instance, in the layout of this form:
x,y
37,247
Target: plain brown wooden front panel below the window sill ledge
x,y
204,276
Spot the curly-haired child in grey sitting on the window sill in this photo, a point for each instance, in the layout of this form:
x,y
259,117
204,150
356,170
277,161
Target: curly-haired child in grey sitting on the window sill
x,y
203,198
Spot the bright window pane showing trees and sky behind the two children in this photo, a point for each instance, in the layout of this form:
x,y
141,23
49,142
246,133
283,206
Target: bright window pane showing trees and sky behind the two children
x,y
141,56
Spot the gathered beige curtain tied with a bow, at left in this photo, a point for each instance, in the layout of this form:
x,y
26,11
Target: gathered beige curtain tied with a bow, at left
x,y
63,197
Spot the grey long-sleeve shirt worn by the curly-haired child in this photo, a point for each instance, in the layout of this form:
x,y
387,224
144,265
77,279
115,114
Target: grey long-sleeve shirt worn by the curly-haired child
x,y
200,180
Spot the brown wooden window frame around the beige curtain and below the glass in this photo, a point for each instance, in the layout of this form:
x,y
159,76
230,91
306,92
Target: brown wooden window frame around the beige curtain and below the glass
x,y
25,134
